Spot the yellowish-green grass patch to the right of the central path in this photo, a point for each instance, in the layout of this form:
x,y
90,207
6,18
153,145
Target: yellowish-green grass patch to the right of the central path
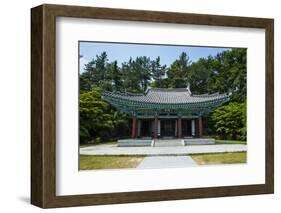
x,y
220,158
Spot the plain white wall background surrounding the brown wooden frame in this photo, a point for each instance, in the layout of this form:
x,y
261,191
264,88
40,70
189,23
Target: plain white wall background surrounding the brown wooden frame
x,y
15,103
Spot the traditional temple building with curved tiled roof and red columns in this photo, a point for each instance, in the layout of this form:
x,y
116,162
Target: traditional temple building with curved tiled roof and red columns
x,y
165,113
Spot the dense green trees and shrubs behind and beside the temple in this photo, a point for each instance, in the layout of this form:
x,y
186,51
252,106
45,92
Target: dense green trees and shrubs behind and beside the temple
x,y
225,72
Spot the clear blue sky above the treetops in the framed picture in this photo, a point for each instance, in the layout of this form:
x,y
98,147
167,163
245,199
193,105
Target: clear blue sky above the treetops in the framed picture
x,y
123,51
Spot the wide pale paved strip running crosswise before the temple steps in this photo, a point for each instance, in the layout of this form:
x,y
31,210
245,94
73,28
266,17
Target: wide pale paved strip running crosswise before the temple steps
x,y
164,151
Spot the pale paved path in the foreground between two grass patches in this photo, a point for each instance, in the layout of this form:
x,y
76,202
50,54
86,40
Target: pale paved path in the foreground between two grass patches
x,y
159,162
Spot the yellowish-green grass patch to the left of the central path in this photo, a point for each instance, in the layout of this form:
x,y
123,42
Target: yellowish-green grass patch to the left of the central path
x,y
88,162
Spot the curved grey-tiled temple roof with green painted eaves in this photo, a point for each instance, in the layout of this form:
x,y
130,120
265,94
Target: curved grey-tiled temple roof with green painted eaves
x,y
157,100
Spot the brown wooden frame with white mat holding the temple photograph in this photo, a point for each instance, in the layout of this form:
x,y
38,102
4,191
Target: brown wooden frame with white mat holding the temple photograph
x,y
136,106
